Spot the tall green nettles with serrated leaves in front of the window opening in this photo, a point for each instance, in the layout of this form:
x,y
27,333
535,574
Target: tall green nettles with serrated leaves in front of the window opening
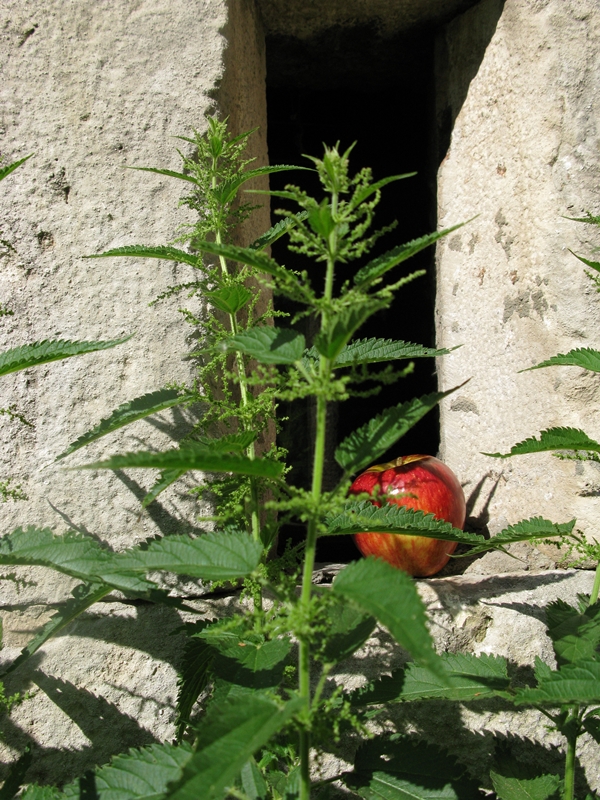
x,y
265,675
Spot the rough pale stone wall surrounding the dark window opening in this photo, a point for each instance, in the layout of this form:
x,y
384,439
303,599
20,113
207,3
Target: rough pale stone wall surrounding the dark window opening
x,y
89,92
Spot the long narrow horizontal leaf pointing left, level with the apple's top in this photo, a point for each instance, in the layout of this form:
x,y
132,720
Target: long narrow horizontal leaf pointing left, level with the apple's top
x,y
191,456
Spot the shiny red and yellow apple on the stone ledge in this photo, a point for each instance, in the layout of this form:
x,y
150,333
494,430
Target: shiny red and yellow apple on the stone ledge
x,y
423,483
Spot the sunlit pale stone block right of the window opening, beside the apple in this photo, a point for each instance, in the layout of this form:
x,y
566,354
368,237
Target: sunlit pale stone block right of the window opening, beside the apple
x,y
520,83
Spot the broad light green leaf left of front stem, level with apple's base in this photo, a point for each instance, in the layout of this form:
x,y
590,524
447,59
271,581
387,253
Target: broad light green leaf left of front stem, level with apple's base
x,y
212,556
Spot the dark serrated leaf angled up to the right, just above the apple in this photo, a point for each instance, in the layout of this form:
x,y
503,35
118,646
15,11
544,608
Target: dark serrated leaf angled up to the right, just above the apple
x,y
365,445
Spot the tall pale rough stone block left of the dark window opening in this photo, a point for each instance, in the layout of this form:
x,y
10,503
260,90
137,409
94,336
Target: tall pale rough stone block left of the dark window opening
x,y
89,92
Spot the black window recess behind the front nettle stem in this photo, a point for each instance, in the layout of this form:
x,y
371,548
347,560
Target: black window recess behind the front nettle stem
x,y
351,85
